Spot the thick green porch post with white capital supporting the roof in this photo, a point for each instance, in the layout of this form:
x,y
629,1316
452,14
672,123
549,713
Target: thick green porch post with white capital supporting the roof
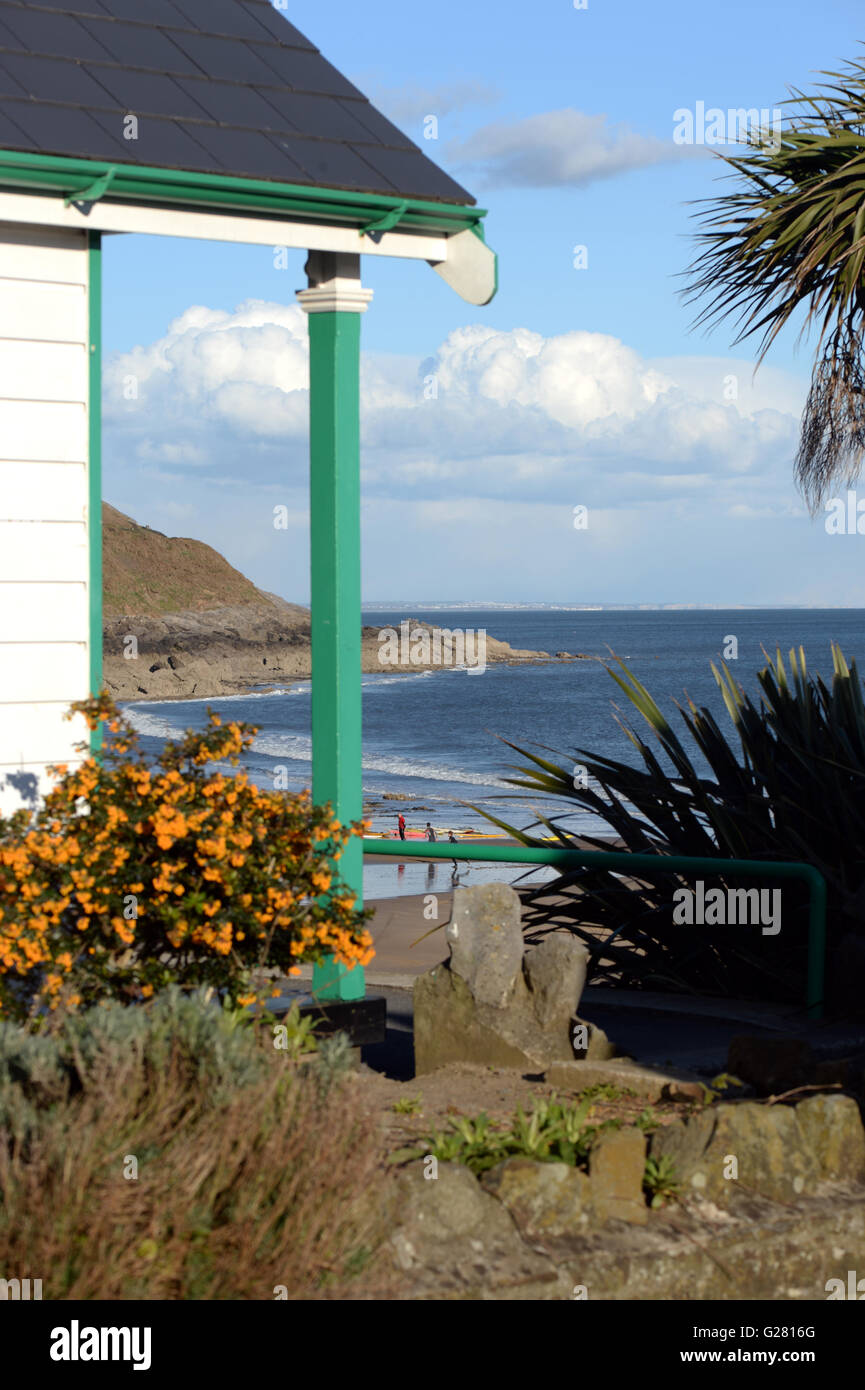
x,y
334,304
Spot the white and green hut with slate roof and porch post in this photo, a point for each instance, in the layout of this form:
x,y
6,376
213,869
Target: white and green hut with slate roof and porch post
x,y
201,119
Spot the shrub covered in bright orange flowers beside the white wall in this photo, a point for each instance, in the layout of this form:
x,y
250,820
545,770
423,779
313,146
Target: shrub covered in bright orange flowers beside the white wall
x,y
134,876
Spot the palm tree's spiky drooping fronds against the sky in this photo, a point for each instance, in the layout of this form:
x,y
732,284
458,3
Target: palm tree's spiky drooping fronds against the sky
x,y
789,240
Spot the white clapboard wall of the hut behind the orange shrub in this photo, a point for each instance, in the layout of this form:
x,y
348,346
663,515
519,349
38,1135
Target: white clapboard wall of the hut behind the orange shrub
x,y
44,504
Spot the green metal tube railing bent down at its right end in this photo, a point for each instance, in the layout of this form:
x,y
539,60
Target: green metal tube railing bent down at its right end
x,y
624,861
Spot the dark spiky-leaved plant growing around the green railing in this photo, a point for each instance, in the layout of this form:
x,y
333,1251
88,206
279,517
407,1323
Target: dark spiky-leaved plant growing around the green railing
x,y
793,790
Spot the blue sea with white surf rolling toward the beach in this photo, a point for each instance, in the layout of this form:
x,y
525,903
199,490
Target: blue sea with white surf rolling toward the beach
x,y
435,742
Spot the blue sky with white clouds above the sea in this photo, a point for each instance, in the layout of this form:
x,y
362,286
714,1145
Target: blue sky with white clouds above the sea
x,y
576,387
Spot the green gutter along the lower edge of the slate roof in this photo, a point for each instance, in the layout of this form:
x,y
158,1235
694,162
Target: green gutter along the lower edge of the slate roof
x,y
90,180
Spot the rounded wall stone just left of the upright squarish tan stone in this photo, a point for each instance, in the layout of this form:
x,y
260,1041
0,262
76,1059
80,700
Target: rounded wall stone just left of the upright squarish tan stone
x,y
543,1199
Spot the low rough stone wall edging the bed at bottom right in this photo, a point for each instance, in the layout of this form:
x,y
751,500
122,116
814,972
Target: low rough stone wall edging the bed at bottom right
x,y
546,1231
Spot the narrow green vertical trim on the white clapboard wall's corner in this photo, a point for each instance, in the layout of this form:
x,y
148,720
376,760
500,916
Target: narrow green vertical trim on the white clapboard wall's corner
x,y
95,469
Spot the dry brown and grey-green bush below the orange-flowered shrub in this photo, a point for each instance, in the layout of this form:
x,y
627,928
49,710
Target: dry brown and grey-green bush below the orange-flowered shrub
x,y
170,1152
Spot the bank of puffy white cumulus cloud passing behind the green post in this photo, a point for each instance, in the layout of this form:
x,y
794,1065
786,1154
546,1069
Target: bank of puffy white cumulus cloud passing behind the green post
x,y
517,416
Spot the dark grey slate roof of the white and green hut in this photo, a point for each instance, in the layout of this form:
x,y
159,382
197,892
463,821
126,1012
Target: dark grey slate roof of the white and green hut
x,y
219,87
